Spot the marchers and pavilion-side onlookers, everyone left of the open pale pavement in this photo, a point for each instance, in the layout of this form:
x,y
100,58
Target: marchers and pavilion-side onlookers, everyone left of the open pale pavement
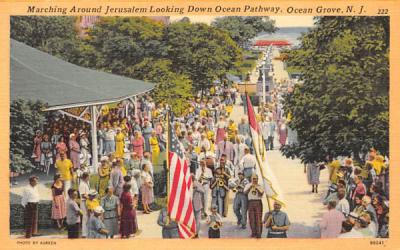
x,y
130,141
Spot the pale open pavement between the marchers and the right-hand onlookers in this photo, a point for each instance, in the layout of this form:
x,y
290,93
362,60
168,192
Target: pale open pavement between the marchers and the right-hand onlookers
x,y
304,208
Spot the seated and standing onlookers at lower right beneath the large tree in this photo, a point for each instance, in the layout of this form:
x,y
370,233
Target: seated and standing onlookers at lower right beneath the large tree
x,y
357,199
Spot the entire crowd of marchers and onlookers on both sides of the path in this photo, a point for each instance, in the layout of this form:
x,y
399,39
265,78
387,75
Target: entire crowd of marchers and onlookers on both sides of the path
x,y
131,140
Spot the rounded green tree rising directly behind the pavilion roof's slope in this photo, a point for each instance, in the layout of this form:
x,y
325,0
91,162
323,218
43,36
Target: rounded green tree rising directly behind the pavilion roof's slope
x,y
125,41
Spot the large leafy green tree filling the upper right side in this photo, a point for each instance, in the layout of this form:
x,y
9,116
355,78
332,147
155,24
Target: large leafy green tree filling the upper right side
x,y
342,107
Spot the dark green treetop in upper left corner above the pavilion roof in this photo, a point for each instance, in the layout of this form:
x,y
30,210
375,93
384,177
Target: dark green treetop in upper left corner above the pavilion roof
x,y
35,31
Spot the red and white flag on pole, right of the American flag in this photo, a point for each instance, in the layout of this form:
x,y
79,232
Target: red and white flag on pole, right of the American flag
x,y
268,179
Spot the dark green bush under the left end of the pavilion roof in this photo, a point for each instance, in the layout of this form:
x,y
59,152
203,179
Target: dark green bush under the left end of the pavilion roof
x,y
26,117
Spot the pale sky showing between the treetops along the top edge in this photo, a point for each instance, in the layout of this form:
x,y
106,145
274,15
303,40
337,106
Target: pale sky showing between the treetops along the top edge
x,y
280,21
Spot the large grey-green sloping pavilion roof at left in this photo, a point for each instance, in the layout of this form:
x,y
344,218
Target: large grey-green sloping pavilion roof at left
x,y
36,75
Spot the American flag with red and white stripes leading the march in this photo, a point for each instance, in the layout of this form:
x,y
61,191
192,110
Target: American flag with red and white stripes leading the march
x,y
180,206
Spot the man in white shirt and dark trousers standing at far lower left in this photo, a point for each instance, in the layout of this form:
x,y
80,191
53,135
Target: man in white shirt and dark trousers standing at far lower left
x,y
30,202
